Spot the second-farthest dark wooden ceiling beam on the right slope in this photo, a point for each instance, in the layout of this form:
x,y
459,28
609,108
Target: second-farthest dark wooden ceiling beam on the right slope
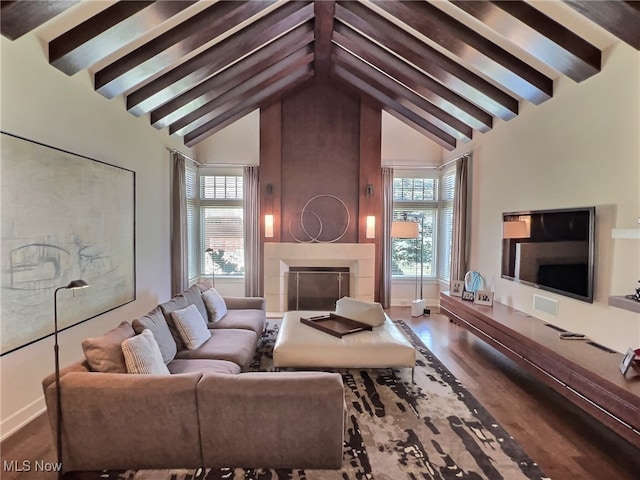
x,y
402,95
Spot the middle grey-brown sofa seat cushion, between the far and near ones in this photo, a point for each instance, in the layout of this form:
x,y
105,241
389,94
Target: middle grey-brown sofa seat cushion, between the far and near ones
x,y
237,346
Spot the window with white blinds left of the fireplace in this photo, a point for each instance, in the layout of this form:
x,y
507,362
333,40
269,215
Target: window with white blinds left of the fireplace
x,y
215,222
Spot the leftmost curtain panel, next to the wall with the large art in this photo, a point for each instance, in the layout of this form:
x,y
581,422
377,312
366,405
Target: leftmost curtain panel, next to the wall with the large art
x,y
179,262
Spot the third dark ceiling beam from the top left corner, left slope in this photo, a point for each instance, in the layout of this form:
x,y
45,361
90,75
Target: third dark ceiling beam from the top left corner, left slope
x,y
168,49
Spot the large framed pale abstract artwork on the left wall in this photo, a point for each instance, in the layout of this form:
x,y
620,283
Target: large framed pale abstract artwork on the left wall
x,y
63,217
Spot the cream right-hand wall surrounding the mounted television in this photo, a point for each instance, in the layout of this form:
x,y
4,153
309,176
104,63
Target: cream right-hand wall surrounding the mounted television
x,y
581,148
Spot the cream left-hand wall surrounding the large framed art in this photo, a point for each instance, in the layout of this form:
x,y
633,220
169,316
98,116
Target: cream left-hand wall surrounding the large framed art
x,y
43,104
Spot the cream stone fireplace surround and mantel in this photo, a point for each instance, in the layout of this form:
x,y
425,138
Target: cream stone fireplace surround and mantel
x,y
278,257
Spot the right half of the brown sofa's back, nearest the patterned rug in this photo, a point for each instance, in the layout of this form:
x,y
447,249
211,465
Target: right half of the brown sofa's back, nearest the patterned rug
x,y
300,416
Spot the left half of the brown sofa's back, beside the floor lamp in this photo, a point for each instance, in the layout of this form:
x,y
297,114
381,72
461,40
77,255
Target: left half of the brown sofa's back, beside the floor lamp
x,y
114,421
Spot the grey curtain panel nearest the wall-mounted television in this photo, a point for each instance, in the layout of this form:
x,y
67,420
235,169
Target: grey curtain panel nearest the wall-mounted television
x,y
459,233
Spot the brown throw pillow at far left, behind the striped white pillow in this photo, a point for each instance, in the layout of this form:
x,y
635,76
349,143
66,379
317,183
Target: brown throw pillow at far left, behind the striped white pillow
x,y
104,354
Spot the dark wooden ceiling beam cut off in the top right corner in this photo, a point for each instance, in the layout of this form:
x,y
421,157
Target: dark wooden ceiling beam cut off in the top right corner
x,y
617,17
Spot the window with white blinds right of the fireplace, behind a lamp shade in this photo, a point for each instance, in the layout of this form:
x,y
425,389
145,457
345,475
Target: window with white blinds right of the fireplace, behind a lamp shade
x,y
427,199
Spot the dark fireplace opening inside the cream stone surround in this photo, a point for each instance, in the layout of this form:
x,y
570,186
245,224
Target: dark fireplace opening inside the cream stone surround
x,y
316,288
